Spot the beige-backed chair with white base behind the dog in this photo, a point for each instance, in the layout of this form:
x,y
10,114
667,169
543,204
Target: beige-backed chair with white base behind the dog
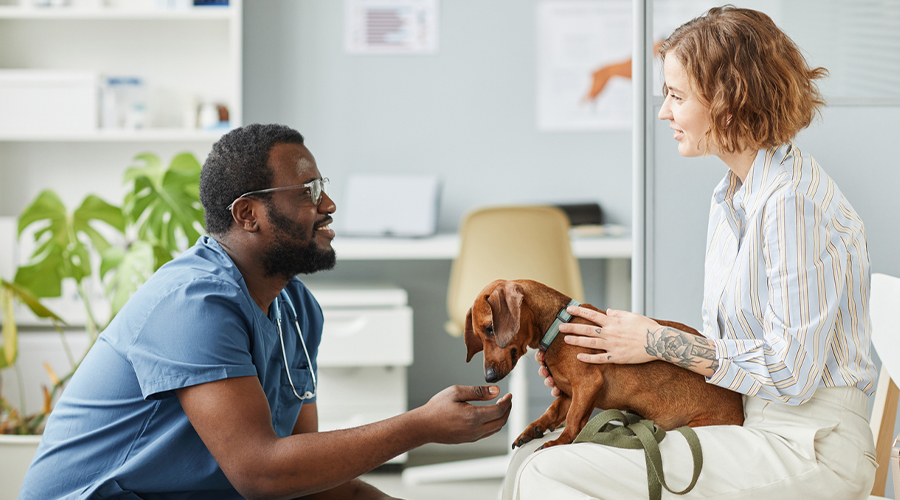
x,y
512,242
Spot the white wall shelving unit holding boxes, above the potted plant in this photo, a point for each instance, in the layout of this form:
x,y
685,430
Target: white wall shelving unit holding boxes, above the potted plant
x,y
184,55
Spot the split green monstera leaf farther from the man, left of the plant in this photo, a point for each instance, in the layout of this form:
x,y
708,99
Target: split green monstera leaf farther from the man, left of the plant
x,y
63,241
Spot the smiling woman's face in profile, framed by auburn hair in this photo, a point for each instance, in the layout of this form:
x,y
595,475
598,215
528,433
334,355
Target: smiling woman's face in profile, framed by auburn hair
x,y
688,116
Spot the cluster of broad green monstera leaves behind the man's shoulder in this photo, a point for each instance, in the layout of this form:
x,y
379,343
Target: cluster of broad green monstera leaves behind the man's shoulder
x,y
161,214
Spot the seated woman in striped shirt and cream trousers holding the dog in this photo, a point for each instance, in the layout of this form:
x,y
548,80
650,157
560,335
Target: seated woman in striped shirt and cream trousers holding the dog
x,y
785,307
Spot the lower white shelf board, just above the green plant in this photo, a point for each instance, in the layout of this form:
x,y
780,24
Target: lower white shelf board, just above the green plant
x,y
145,135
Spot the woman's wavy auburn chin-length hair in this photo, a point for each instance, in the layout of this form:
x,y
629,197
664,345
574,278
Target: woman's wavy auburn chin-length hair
x,y
759,88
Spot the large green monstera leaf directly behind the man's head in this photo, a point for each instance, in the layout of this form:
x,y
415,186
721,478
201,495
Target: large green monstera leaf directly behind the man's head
x,y
164,203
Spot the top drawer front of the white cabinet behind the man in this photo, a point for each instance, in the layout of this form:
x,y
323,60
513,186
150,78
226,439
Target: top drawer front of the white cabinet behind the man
x,y
367,337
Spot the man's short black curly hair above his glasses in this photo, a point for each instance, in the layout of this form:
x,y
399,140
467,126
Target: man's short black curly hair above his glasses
x,y
237,164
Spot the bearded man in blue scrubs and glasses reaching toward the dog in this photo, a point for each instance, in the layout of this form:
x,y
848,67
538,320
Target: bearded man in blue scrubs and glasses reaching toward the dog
x,y
204,386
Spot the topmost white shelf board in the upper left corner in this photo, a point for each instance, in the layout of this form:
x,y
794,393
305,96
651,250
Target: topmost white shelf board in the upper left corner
x,y
72,14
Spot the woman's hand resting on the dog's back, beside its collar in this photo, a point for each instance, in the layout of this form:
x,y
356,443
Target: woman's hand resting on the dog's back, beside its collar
x,y
624,336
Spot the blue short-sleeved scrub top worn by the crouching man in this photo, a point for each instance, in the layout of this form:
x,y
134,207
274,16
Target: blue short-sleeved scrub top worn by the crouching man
x,y
118,430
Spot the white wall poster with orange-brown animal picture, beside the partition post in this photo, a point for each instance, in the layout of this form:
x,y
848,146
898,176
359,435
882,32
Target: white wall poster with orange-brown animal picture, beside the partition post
x,y
575,40
